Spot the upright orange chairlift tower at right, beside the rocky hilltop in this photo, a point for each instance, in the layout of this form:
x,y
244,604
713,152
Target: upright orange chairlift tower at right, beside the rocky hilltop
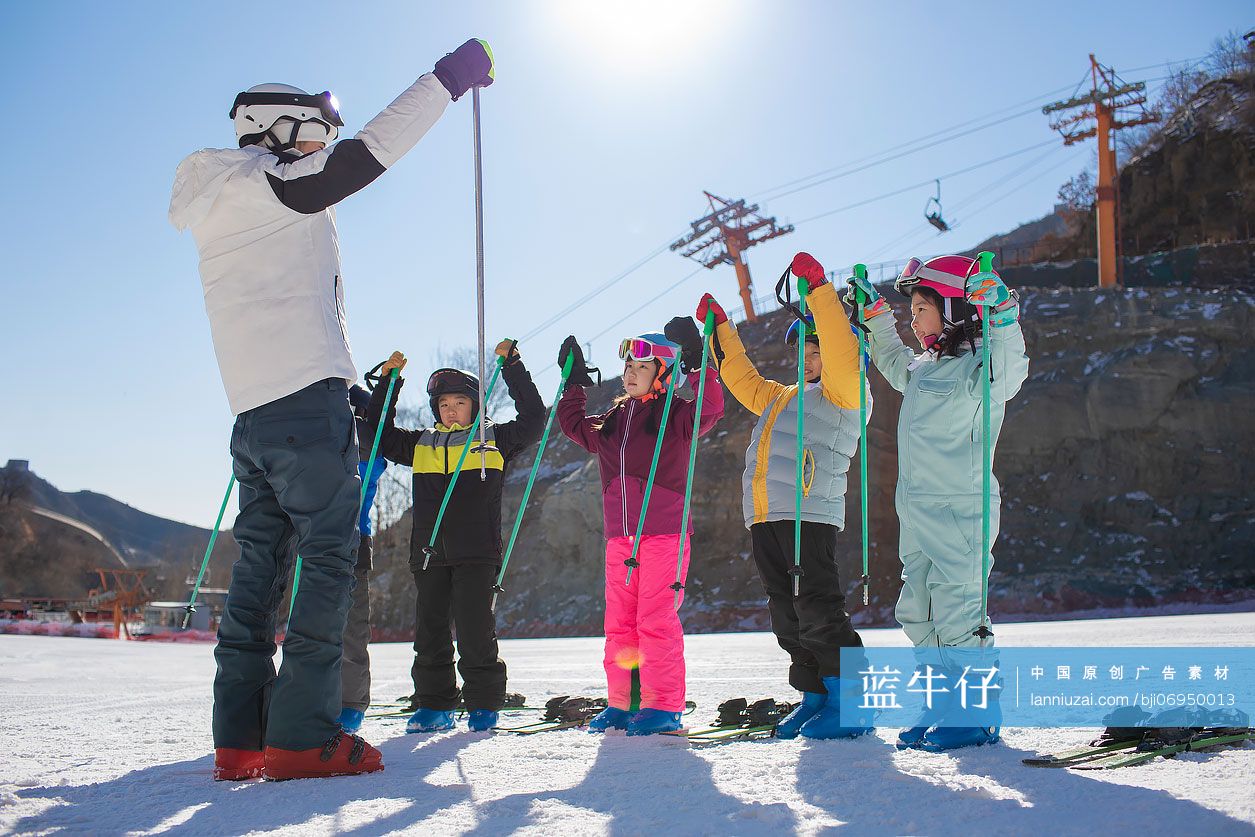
x,y
1108,97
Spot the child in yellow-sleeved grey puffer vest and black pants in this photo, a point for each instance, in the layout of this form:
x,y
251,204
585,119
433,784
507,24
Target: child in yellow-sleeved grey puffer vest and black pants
x,y
814,627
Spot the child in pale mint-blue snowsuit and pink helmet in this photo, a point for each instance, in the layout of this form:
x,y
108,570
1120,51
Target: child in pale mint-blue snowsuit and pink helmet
x,y
939,470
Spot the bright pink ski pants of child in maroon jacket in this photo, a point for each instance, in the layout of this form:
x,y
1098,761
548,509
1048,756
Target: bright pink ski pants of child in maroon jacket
x,y
643,624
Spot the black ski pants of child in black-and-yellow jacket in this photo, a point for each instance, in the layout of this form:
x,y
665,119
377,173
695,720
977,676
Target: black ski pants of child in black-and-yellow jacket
x,y
457,597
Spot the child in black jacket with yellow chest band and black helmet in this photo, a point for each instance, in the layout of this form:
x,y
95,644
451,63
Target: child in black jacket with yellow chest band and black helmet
x,y
456,585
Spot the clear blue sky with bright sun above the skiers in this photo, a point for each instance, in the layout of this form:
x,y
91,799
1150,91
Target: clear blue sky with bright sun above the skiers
x,y
607,124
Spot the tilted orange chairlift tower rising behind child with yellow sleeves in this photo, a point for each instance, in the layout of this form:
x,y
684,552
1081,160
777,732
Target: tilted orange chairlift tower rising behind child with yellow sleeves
x,y
725,235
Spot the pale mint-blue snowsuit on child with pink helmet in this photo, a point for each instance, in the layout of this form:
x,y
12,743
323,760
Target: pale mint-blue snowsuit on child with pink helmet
x,y
939,476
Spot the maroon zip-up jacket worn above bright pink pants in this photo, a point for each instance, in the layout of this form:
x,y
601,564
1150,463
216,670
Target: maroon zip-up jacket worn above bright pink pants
x,y
626,447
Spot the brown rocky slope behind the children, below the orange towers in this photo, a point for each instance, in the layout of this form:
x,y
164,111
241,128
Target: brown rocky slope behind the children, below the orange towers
x,y
1121,464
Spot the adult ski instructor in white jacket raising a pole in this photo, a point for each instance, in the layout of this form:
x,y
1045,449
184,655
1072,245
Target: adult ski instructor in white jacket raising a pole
x,y
265,229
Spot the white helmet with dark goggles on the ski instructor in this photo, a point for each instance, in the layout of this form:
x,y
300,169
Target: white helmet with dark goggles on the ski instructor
x,y
279,116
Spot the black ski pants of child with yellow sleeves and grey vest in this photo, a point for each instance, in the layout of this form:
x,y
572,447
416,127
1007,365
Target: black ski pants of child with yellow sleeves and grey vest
x,y
815,627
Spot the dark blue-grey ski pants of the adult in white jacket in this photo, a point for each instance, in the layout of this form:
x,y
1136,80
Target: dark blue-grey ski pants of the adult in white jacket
x,y
297,462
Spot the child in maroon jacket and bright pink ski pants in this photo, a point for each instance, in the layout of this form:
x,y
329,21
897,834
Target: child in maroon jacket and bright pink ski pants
x,y
643,627
